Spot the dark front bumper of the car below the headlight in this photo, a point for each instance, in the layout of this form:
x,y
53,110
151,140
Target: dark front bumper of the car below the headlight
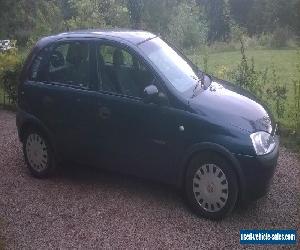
x,y
257,173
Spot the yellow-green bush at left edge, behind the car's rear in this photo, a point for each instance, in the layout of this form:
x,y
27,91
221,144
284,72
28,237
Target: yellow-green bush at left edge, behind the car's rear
x,y
10,69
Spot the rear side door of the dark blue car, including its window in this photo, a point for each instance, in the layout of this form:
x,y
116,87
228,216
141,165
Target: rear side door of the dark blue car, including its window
x,y
62,100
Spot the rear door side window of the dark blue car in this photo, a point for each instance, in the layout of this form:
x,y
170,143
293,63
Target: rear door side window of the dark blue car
x,y
69,64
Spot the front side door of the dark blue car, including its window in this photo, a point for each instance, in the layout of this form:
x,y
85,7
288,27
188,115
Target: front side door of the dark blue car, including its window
x,y
137,137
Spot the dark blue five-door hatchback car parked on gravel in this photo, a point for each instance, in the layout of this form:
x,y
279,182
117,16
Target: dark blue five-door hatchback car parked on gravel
x,y
130,102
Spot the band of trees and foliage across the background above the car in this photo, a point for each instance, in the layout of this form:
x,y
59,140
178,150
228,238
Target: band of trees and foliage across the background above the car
x,y
219,20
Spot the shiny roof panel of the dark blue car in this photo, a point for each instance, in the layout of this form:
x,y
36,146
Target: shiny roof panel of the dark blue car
x,y
133,36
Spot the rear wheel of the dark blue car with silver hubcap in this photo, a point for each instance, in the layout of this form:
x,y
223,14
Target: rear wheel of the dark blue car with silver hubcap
x,y
38,154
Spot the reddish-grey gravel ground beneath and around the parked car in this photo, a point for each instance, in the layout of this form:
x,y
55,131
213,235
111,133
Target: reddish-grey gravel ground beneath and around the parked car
x,y
88,208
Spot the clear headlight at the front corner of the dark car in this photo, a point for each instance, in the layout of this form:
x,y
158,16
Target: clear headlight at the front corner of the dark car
x,y
263,142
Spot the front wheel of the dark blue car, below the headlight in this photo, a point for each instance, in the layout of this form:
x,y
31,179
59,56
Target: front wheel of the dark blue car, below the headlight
x,y
211,186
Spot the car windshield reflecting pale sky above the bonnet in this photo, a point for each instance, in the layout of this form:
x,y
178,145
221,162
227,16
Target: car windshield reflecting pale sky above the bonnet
x,y
178,70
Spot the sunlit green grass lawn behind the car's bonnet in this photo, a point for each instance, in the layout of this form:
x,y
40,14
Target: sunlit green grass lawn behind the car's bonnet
x,y
283,61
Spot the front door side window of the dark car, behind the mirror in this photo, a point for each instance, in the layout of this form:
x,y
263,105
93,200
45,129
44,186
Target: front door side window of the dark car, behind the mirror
x,y
122,72
